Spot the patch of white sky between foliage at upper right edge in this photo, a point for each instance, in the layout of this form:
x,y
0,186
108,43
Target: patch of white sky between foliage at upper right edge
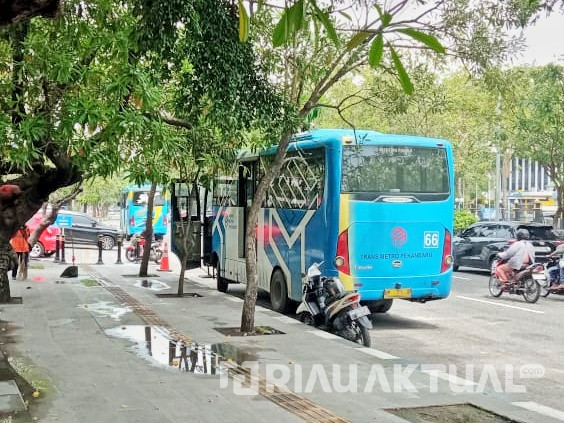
x,y
545,41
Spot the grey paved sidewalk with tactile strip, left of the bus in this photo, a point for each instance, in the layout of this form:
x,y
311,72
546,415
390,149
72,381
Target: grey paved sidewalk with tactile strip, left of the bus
x,y
65,336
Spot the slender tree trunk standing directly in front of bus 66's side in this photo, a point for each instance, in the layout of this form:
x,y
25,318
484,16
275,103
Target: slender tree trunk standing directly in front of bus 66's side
x,y
248,313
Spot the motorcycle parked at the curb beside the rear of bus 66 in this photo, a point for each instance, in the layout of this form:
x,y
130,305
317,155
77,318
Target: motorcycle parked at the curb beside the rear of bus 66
x,y
326,304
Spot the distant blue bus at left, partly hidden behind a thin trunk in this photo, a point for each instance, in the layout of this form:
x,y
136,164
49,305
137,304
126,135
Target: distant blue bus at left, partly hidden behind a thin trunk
x,y
133,212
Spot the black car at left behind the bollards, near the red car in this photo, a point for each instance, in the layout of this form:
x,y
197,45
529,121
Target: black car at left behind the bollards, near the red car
x,y
85,230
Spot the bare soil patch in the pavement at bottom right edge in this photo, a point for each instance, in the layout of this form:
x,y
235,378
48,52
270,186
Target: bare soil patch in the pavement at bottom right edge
x,y
456,413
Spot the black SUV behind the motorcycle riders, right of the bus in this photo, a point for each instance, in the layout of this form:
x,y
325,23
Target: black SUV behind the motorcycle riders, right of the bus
x,y
478,244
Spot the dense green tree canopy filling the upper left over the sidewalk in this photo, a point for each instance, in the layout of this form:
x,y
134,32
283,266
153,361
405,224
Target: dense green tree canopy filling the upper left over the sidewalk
x,y
103,88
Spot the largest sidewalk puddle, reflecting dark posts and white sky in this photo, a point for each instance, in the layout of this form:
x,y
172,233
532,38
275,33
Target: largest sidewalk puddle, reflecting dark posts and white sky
x,y
154,344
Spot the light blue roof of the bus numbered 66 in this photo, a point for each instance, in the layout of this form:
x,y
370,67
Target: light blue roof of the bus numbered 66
x,y
332,137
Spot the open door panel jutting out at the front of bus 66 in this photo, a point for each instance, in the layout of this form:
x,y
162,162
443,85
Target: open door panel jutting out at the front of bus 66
x,y
186,227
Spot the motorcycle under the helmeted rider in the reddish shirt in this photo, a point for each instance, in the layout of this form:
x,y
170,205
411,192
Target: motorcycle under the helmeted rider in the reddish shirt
x,y
521,283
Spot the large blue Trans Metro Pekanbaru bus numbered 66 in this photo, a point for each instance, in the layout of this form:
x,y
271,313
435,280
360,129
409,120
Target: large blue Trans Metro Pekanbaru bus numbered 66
x,y
376,208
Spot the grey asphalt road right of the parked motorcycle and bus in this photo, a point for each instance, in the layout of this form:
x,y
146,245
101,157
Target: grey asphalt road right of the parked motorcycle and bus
x,y
505,336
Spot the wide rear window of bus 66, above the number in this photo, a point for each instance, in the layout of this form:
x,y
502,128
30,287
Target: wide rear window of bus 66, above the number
x,y
372,171
